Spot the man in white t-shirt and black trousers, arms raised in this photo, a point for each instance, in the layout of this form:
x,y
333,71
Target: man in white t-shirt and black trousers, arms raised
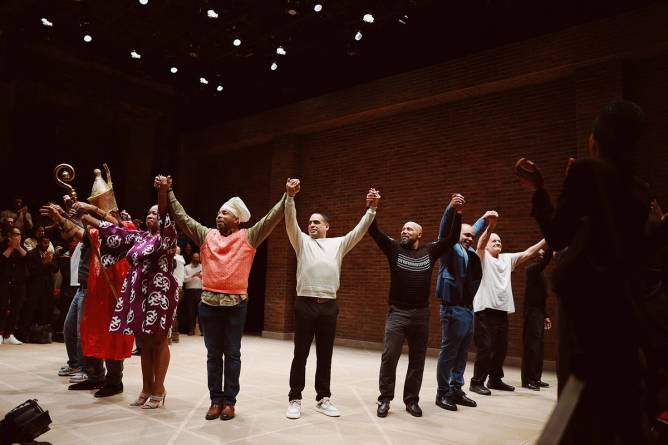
x,y
492,304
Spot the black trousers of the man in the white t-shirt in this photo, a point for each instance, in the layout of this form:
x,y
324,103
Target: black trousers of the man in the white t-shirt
x,y
490,335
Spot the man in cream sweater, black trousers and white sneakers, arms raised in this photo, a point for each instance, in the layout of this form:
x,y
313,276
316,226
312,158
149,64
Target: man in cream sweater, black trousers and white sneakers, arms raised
x,y
318,269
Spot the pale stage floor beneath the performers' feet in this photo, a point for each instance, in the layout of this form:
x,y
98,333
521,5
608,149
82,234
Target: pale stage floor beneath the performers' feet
x,y
30,371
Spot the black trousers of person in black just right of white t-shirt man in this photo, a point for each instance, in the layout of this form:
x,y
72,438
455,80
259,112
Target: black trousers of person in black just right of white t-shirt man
x,y
532,335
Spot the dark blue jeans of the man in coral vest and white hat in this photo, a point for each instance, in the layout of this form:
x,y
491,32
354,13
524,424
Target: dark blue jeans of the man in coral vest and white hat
x,y
223,327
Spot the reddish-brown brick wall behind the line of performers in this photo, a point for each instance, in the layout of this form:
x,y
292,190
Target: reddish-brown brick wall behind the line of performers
x,y
422,135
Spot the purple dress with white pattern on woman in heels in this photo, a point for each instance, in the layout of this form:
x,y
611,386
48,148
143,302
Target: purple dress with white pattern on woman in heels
x,y
149,295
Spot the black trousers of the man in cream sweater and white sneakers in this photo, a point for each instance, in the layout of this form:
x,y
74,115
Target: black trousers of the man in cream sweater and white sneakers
x,y
313,319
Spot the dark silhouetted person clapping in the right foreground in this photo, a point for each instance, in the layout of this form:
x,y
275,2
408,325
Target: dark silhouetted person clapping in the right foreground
x,y
598,218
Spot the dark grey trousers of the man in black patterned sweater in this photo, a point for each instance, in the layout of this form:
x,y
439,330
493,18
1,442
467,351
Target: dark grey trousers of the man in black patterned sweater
x,y
413,326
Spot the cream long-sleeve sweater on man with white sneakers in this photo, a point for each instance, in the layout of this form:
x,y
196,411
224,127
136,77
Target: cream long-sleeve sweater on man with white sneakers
x,y
319,260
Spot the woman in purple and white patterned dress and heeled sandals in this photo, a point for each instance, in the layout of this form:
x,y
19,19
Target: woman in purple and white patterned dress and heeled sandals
x,y
148,298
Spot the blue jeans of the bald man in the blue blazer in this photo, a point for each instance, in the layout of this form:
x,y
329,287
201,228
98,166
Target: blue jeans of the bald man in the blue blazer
x,y
456,336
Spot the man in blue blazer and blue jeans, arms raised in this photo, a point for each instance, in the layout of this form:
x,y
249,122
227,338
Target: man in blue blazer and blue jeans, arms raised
x,y
458,280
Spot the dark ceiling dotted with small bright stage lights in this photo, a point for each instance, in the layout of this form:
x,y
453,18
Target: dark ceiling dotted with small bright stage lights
x,y
322,53
